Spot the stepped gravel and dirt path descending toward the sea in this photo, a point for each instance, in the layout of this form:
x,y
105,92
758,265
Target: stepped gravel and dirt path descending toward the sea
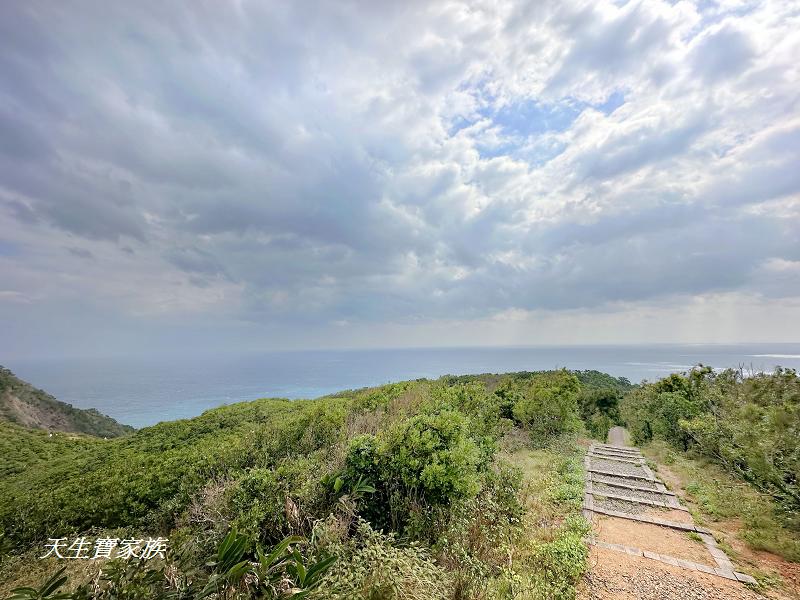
x,y
644,543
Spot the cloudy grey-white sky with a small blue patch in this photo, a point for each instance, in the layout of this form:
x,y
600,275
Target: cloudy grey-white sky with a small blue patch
x,y
267,175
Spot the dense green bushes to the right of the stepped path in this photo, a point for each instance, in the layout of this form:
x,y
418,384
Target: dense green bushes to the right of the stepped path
x,y
748,426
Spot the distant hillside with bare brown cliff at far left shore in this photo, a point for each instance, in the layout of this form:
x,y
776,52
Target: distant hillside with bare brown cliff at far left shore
x,y
23,404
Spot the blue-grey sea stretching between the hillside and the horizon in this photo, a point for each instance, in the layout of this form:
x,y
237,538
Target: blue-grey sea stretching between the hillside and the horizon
x,y
143,391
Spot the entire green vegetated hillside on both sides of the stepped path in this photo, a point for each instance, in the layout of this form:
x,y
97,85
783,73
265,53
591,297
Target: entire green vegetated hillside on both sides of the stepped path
x,y
466,487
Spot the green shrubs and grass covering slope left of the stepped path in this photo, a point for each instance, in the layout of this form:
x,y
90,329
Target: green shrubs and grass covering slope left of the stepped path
x,y
405,491
